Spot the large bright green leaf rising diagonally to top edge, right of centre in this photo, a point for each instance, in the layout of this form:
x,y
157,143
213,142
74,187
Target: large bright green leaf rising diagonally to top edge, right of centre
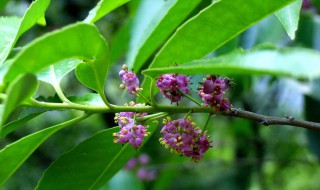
x,y
210,29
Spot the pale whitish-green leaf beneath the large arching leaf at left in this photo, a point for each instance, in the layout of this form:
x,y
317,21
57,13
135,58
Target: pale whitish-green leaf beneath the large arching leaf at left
x,y
57,71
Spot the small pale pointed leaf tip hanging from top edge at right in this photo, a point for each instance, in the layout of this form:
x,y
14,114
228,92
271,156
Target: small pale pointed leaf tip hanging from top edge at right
x,y
289,17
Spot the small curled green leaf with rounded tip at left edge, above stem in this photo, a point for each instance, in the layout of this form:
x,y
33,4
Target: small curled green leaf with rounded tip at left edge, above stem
x,y
20,90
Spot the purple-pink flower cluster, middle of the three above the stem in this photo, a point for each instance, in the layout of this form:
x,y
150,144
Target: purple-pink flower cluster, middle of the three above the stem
x,y
170,84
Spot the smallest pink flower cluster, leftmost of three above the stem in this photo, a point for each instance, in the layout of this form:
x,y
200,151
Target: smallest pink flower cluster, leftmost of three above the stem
x,y
130,80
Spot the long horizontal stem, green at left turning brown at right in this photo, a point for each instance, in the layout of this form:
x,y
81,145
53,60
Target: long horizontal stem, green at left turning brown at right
x,y
233,112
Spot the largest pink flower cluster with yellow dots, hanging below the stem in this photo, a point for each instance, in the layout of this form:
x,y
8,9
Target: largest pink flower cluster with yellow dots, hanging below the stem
x,y
183,137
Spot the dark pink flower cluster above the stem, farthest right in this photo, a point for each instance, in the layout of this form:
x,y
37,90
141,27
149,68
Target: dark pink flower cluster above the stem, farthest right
x,y
212,92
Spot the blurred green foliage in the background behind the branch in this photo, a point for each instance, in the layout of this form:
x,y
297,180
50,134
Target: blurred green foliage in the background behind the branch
x,y
245,155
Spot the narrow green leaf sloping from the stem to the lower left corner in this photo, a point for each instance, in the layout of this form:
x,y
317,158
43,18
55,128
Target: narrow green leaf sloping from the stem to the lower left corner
x,y
13,155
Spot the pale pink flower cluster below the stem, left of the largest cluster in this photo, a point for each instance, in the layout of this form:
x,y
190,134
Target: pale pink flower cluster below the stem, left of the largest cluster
x,y
130,131
